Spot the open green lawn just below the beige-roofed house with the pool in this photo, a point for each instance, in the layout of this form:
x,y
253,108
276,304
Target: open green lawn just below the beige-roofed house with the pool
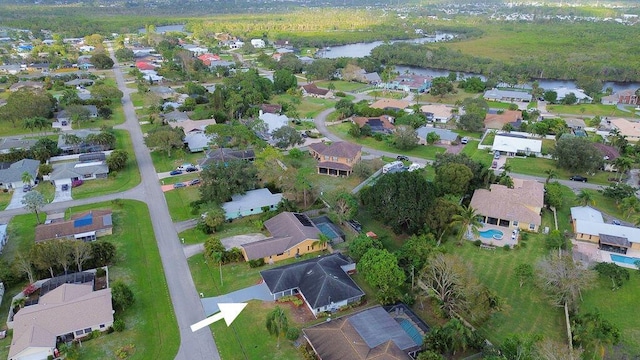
x,y
525,310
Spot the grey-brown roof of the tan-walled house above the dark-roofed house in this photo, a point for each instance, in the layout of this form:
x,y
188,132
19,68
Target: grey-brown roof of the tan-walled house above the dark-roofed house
x,y
287,230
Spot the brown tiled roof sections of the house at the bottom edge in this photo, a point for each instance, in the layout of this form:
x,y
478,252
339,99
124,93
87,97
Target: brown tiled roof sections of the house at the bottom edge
x,y
339,339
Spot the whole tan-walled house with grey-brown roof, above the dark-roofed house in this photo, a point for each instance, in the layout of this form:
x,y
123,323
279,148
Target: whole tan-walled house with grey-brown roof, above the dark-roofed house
x,y
292,235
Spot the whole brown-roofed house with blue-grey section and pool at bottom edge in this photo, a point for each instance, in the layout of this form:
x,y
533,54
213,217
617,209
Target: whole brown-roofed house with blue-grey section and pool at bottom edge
x,y
378,333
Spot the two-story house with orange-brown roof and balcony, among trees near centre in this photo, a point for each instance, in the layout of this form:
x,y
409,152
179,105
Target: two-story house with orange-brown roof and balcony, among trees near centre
x,y
336,159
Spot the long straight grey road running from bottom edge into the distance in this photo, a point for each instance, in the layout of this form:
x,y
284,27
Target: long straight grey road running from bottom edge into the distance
x,y
186,301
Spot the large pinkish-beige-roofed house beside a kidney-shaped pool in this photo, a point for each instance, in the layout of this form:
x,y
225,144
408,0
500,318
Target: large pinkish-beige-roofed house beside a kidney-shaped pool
x,y
518,207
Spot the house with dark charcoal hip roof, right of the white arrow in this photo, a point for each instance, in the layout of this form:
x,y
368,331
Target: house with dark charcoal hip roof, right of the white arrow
x,y
322,282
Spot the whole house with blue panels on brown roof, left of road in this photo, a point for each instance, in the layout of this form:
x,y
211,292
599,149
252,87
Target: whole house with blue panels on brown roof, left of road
x,y
86,226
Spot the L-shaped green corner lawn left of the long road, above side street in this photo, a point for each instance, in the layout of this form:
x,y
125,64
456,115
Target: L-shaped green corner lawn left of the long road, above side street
x,y
123,180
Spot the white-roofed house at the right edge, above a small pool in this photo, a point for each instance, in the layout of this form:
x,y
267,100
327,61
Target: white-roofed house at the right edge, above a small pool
x,y
589,225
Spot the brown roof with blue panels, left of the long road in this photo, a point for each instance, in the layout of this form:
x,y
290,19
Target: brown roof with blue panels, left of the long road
x,y
101,219
